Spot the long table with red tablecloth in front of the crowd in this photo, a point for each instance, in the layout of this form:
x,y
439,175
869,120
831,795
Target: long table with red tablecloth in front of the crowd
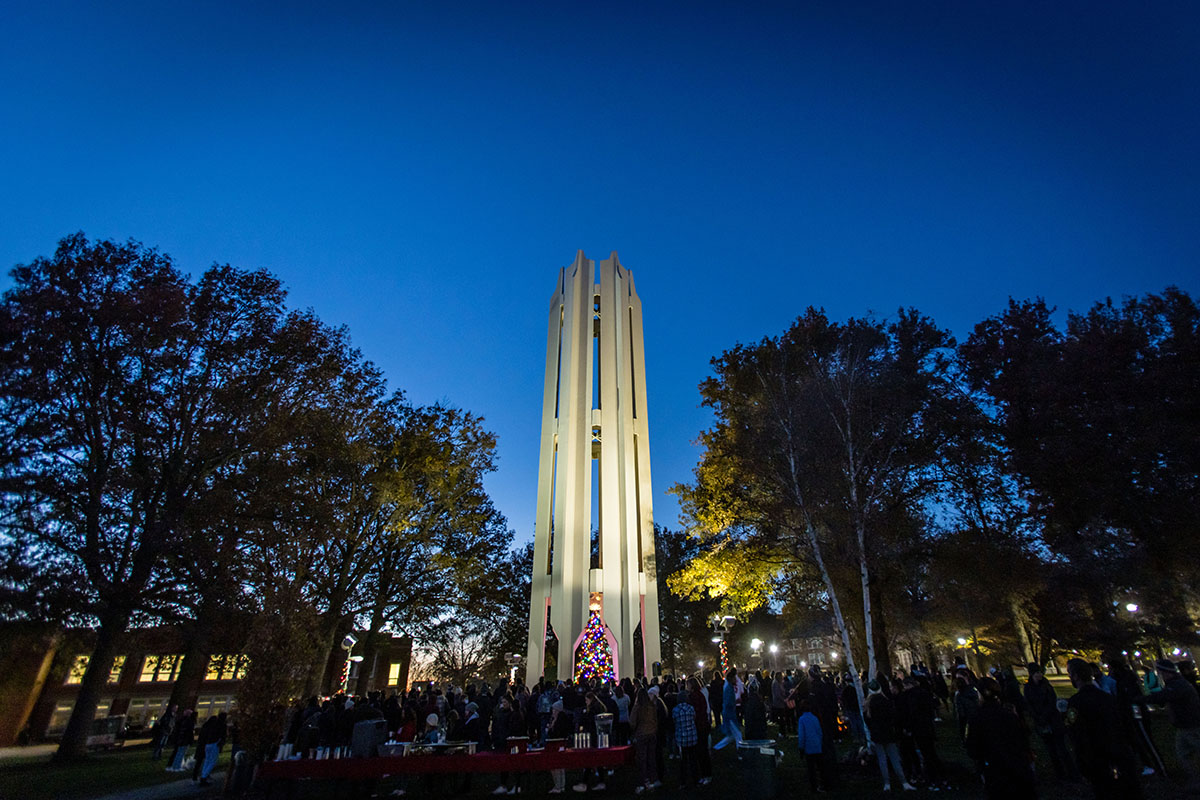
x,y
359,769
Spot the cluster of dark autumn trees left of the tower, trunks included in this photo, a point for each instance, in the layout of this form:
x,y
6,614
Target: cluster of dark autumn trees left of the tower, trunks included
x,y
177,449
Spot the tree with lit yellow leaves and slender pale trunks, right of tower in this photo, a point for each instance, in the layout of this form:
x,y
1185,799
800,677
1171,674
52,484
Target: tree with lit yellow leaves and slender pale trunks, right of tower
x,y
820,434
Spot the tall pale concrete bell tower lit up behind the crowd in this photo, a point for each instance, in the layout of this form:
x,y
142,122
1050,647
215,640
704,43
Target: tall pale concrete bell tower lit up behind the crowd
x,y
595,534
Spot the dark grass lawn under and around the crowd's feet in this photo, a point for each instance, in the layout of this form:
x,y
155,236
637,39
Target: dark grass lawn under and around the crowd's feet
x,y
104,774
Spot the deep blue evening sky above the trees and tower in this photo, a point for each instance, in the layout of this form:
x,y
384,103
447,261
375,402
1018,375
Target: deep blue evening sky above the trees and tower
x,y
419,172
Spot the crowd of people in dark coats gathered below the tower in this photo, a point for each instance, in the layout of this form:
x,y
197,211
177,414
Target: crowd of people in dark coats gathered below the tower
x,y
1100,735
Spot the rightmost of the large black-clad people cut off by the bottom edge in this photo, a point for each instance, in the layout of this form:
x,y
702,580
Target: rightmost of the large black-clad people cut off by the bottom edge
x,y
1103,756
